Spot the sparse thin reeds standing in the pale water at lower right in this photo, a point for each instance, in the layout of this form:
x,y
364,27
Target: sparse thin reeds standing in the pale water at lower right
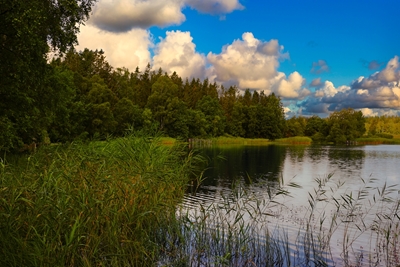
x,y
249,227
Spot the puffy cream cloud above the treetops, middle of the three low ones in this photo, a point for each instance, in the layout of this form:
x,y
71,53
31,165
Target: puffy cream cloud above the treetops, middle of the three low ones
x,y
177,53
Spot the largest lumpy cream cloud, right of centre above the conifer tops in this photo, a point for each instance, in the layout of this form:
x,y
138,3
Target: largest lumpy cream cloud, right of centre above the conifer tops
x,y
251,63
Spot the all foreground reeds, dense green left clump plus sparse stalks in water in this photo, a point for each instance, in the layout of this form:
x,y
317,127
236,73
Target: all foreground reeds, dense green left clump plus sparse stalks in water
x,y
123,203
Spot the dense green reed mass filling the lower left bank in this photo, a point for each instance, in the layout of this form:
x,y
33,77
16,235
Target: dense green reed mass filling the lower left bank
x,y
97,204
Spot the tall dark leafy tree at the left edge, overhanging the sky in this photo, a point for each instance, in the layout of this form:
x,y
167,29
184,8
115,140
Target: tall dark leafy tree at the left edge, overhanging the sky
x,y
27,28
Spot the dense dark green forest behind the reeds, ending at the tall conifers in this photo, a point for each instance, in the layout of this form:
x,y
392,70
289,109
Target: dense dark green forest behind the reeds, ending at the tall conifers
x,y
83,97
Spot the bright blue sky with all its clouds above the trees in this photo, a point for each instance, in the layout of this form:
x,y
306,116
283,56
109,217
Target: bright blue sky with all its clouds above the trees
x,y
318,56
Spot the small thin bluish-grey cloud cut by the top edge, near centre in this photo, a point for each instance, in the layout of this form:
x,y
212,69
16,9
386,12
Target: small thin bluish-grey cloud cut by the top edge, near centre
x,y
215,7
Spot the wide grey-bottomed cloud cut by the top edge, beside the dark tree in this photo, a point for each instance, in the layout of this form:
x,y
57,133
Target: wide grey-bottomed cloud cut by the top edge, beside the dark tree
x,y
124,15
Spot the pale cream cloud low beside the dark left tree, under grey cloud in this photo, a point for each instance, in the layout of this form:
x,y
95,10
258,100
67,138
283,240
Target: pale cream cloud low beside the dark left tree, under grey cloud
x,y
128,50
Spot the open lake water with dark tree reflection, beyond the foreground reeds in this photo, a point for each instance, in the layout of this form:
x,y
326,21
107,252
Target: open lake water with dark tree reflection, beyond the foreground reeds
x,y
356,170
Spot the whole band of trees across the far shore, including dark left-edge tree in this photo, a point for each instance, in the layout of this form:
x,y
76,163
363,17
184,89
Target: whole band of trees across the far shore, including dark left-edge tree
x,y
78,95
